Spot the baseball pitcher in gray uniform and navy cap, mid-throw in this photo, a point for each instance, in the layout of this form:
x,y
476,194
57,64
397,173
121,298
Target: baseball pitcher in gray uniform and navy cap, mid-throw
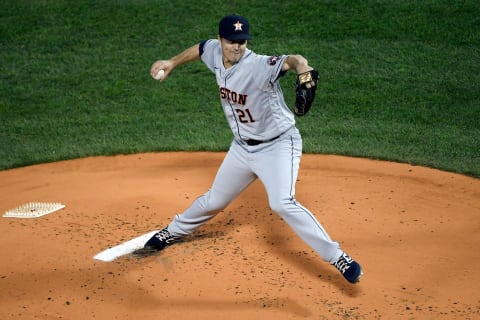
x,y
266,144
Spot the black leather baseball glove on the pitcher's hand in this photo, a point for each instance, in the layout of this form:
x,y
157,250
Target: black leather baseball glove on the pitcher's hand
x,y
305,87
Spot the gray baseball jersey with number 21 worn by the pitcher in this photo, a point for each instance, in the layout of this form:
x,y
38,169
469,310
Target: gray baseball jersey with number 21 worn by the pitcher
x,y
250,93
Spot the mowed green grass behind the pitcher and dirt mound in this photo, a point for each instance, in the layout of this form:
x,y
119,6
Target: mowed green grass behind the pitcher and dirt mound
x,y
400,80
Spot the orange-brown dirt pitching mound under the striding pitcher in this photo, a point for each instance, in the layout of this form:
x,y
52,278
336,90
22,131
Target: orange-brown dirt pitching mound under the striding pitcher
x,y
416,231
